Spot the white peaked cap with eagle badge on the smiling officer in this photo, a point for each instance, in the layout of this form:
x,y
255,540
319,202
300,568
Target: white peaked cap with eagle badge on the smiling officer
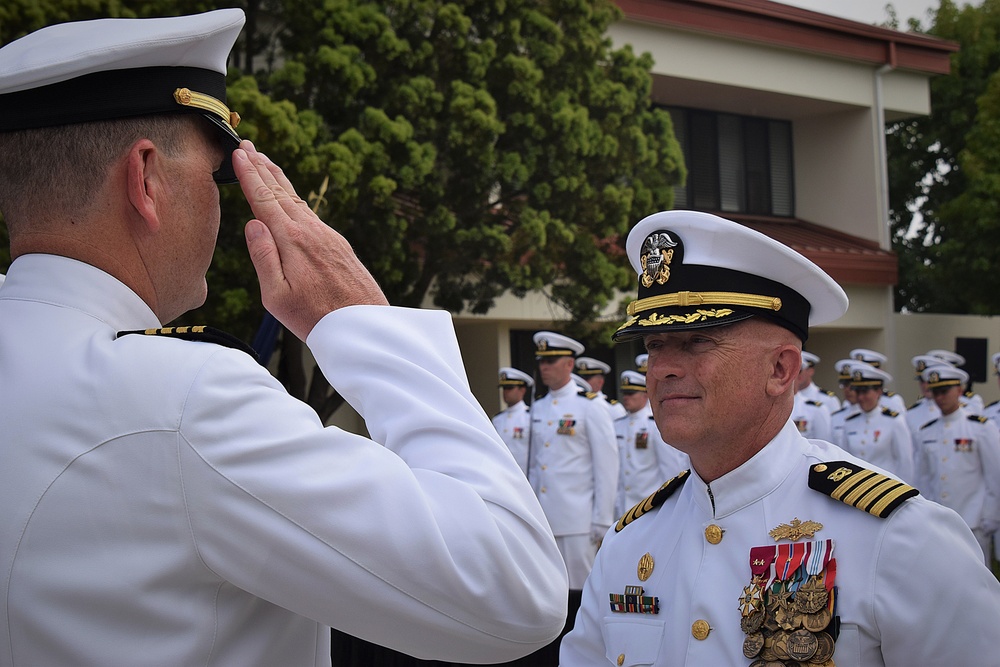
x,y
698,270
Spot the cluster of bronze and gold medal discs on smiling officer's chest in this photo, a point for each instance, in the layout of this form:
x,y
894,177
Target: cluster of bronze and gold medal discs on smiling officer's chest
x,y
785,628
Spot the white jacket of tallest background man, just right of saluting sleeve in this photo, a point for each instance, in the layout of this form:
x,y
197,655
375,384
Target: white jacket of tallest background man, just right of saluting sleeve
x,y
574,460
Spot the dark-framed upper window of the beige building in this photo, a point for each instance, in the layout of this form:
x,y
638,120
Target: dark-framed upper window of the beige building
x,y
736,164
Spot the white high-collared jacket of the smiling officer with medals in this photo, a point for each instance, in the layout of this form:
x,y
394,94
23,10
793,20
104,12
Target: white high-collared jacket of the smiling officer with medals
x,y
895,606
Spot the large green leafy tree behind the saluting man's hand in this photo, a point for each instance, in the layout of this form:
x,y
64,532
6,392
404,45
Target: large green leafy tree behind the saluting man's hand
x,y
466,149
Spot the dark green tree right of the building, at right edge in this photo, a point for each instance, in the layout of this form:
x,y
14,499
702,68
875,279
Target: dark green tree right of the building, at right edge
x,y
942,171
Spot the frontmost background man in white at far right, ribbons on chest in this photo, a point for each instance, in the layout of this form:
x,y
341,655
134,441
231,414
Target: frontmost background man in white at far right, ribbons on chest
x,y
958,457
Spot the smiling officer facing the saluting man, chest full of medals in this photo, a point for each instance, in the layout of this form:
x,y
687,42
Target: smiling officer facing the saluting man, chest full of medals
x,y
774,549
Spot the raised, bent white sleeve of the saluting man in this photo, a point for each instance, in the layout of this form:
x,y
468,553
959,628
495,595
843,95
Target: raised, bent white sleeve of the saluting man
x,y
425,538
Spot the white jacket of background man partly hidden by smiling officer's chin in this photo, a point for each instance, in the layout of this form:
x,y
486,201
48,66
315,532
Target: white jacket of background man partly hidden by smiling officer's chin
x,y
645,461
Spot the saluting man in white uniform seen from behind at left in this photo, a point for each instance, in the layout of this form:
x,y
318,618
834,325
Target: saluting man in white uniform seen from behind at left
x,y
164,500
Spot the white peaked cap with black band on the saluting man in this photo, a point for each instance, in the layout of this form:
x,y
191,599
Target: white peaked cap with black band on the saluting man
x,y
117,68
